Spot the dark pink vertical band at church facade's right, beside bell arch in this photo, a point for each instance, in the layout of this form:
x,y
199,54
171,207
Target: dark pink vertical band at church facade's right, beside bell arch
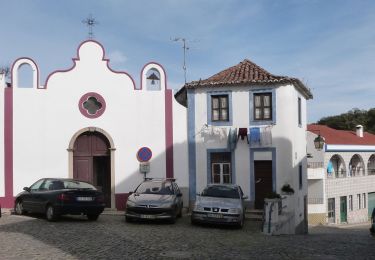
x,y
169,132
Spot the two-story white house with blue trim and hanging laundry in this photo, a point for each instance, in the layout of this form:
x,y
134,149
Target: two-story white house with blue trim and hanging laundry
x,y
247,126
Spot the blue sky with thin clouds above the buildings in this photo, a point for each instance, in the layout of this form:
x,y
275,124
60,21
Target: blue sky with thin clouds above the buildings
x,y
328,44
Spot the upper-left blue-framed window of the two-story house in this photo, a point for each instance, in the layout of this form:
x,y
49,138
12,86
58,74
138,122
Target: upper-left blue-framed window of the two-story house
x,y
219,108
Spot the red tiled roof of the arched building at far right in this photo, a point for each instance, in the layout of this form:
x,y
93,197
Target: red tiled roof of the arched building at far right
x,y
333,136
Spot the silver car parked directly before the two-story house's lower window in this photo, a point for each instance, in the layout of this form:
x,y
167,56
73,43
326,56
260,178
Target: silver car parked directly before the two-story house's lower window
x,y
220,204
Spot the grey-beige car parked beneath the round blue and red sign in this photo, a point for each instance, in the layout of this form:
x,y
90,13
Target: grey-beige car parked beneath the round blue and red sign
x,y
155,199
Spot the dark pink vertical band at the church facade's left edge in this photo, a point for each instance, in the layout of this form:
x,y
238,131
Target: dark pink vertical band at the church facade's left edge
x,y
7,201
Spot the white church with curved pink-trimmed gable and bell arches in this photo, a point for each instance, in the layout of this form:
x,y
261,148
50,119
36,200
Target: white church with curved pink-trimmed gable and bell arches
x,y
88,122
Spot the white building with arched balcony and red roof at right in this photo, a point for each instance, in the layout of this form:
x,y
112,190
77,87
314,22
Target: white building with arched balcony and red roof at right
x,y
341,176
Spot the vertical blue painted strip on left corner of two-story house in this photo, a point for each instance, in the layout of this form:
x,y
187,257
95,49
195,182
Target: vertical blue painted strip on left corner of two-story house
x,y
191,144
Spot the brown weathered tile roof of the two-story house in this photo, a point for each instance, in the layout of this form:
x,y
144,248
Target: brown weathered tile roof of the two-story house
x,y
247,73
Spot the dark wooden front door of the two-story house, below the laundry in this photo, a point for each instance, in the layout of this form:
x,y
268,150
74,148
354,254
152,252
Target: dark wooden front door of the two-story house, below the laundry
x,y
263,181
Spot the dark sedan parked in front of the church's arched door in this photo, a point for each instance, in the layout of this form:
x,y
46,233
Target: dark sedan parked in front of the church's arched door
x,y
56,197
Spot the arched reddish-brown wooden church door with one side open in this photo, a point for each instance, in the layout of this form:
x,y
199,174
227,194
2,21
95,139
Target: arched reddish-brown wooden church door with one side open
x,y
92,162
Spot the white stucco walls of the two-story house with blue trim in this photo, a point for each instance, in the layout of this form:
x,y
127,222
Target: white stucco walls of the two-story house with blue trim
x,y
288,137
